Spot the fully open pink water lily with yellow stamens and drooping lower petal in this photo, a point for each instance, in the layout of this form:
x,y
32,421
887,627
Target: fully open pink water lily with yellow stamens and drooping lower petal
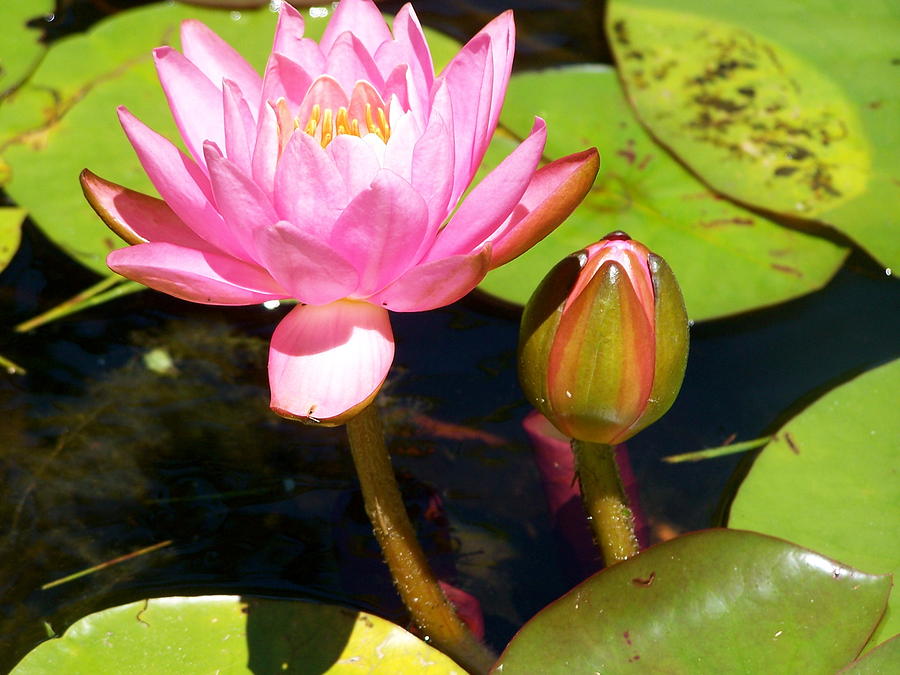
x,y
335,179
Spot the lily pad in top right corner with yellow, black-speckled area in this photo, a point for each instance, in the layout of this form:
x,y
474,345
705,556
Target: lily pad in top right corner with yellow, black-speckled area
x,y
788,107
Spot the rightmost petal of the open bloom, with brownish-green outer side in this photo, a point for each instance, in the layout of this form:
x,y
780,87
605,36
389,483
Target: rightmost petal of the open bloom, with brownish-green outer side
x,y
553,193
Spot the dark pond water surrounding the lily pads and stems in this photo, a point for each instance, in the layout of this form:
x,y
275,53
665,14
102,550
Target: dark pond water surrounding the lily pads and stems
x,y
145,421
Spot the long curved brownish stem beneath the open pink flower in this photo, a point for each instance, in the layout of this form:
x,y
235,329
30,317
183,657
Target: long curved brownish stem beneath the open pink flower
x,y
418,587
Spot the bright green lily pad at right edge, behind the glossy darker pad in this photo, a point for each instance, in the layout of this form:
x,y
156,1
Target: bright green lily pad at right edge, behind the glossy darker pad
x,y
829,479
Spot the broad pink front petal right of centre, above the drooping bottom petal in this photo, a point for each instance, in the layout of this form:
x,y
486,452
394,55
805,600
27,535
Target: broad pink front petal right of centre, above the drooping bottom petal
x,y
381,230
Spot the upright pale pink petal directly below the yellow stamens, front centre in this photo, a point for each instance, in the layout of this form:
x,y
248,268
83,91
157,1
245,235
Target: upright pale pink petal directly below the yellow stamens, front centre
x,y
309,190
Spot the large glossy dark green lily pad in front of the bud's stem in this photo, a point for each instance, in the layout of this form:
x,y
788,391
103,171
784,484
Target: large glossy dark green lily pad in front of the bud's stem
x,y
717,601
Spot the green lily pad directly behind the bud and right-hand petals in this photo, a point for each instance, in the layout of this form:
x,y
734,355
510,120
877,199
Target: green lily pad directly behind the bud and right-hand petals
x,y
726,259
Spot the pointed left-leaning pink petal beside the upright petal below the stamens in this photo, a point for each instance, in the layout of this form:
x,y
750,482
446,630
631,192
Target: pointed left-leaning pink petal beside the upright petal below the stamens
x,y
242,204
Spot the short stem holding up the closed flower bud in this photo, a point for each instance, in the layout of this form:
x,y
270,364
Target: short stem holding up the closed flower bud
x,y
605,500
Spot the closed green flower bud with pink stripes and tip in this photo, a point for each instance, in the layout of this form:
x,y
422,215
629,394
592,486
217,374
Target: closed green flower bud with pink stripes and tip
x,y
603,342
